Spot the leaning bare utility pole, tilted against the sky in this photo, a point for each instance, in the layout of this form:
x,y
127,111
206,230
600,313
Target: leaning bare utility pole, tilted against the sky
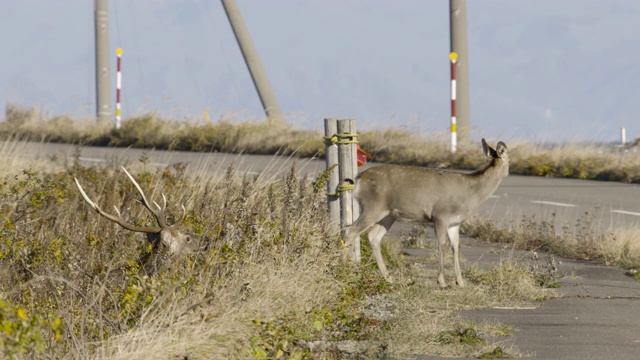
x,y
260,80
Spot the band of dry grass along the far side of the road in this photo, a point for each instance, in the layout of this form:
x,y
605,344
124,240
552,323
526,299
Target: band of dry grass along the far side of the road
x,y
573,160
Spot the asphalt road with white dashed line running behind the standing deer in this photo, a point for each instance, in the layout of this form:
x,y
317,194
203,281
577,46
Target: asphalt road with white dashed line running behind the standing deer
x,y
601,205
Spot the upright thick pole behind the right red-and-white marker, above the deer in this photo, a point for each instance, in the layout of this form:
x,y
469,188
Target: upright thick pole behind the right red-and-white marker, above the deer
x,y
458,35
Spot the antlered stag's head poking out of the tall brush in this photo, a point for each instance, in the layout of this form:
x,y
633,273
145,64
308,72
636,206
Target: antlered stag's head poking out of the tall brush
x,y
168,243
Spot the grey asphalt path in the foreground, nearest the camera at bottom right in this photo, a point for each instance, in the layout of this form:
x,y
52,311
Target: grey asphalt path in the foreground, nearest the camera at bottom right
x,y
592,316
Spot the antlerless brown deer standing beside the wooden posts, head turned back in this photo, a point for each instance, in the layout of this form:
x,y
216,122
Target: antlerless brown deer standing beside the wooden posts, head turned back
x,y
388,193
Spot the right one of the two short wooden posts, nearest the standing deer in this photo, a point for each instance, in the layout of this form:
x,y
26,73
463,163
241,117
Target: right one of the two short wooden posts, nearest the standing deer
x,y
347,170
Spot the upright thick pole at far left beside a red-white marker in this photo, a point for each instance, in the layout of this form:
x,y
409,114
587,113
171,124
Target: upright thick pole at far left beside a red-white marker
x,y
103,97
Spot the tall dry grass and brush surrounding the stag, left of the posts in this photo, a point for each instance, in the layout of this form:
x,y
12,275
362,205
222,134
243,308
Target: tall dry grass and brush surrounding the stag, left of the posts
x,y
270,258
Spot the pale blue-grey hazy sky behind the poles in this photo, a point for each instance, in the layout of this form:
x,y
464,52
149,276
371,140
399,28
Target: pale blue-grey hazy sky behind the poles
x,y
540,70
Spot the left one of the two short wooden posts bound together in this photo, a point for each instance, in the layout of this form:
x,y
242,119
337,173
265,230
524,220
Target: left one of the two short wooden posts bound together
x,y
331,155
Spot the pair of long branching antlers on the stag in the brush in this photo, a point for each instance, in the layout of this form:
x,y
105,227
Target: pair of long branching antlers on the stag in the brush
x,y
158,213
